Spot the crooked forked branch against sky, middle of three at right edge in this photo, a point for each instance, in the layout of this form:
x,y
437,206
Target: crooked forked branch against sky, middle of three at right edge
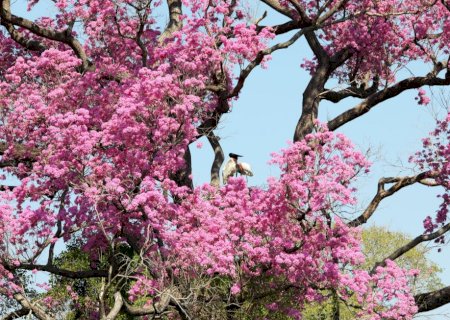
x,y
399,183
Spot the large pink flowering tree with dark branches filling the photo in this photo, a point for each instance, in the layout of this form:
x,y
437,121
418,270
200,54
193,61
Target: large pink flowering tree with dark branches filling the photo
x,y
99,104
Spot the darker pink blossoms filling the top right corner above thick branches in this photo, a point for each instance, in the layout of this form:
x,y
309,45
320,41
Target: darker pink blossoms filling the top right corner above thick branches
x,y
380,34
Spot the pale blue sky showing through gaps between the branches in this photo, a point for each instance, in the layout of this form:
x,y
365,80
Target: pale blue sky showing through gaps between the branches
x,y
264,119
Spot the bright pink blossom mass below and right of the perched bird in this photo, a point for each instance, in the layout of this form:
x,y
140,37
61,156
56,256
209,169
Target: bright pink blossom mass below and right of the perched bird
x,y
242,232
